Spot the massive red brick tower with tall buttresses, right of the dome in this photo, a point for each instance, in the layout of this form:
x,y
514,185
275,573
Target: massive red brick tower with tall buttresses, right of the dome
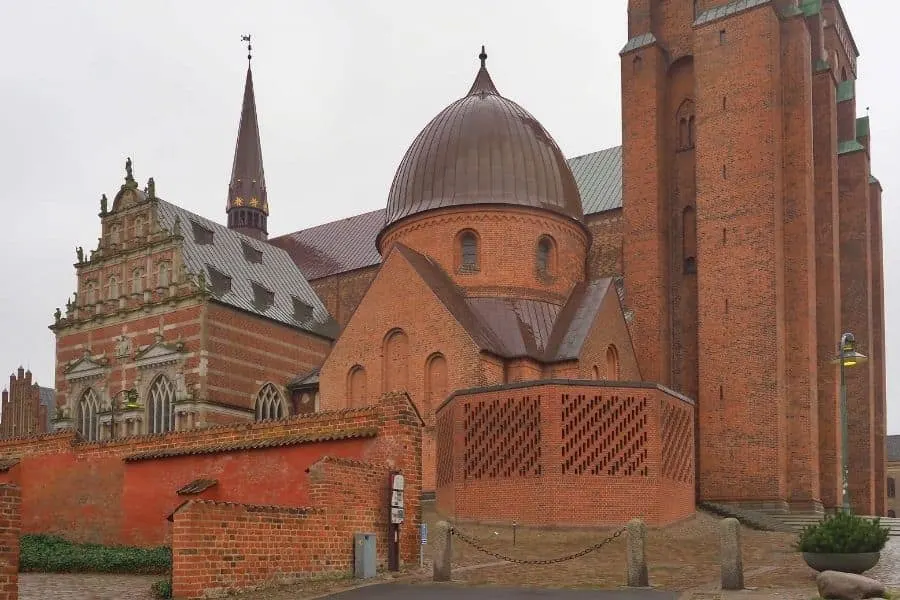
x,y
752,240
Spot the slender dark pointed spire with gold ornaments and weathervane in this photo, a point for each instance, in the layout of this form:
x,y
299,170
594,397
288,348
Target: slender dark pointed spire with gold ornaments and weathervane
x,y
248,205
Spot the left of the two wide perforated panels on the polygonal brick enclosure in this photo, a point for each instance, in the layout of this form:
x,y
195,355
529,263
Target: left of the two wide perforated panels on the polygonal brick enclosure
x,y
502,438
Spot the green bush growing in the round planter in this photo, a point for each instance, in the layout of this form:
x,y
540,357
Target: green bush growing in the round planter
x,y
843,533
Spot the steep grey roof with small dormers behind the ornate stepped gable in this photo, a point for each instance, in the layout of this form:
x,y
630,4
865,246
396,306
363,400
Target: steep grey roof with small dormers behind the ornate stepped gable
x,y
277,273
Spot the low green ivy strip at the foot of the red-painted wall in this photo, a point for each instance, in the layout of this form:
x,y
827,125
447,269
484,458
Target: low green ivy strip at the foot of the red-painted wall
x,y
52,554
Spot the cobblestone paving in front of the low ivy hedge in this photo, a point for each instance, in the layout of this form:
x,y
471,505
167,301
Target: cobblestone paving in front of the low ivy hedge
x,y
85,586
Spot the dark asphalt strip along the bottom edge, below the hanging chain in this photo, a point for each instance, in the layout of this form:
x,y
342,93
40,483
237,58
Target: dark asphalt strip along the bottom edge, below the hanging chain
x,y
396,591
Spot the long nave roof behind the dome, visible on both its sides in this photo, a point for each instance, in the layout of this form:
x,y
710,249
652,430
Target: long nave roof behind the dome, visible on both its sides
x,y
349,244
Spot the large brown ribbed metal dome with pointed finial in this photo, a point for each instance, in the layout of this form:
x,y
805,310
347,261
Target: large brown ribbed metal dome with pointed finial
x,y
483,149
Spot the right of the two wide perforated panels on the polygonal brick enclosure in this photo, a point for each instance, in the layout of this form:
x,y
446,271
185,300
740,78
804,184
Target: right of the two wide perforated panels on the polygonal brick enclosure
x,y
604,435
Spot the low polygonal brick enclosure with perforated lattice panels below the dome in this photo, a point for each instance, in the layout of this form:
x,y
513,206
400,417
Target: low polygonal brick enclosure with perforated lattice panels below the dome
x,y
566,453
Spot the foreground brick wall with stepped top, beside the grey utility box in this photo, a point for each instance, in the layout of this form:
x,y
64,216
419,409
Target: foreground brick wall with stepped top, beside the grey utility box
x,y
221,548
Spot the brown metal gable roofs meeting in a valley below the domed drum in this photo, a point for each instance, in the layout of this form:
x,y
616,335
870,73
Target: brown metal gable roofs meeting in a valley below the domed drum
x,y
515,328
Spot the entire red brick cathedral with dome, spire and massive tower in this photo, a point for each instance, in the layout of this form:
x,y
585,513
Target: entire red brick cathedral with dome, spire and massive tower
x,y
656,320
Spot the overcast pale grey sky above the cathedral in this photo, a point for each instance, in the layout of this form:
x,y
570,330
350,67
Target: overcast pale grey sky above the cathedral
x,y
342,88
